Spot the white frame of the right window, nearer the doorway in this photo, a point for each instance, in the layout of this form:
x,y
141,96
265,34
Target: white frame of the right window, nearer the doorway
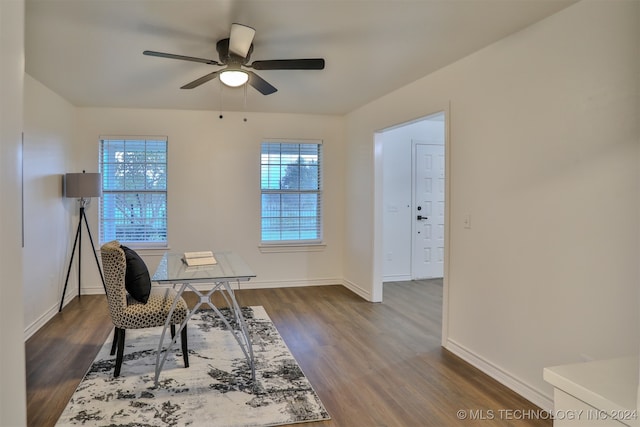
x,y
294,244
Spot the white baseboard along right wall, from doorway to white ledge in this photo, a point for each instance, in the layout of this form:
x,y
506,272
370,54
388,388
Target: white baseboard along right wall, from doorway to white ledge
x,y
514,383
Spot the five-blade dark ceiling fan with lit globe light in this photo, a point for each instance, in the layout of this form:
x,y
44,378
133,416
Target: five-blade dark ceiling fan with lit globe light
x,y
234,53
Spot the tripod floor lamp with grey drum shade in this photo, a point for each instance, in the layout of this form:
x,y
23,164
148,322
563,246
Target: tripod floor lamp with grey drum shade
x,y
82,186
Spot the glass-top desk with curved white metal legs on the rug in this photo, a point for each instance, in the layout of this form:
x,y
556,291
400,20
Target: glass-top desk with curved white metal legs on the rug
x,y
172,270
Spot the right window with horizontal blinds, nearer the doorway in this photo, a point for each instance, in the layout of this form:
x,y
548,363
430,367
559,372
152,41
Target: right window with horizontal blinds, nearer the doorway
x,y
291,187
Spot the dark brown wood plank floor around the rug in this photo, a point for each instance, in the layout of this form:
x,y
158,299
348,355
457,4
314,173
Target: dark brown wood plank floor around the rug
x,y
371,364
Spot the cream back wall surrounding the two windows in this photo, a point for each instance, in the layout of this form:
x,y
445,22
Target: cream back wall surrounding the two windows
x,y
214,185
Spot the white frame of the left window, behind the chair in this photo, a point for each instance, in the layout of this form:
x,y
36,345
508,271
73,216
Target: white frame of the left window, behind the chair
x,y
138,244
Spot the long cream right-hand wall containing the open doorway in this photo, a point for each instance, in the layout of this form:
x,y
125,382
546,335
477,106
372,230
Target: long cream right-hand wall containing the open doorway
x,y
544,151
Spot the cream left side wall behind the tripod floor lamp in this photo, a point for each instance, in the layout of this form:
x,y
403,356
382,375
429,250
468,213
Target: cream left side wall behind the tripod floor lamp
x,y
50,220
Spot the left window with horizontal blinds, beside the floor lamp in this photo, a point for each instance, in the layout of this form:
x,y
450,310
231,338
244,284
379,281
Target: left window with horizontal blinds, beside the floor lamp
x,y
133,207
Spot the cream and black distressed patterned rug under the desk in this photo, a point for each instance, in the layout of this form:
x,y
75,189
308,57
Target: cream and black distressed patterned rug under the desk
x,y
216,390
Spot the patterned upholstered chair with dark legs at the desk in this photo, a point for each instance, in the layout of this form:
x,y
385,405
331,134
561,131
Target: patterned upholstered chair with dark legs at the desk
x,y
129,313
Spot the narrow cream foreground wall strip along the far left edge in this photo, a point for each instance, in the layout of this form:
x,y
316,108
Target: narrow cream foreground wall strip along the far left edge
x,y
13,410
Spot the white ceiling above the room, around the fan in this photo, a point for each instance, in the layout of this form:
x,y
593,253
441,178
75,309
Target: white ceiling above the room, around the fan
x,y
90,51
